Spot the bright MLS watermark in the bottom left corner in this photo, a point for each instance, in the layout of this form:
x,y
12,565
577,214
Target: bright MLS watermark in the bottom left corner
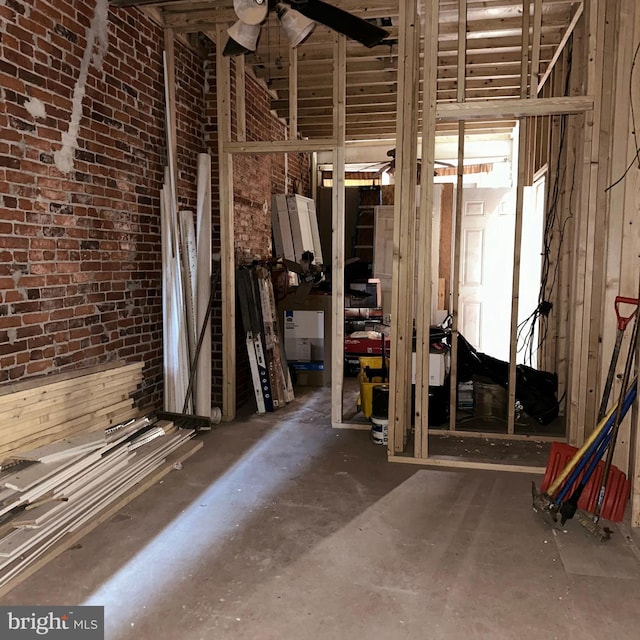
x,y
53,623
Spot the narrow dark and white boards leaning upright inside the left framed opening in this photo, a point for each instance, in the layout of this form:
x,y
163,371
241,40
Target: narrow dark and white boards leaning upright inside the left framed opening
x,y
269,370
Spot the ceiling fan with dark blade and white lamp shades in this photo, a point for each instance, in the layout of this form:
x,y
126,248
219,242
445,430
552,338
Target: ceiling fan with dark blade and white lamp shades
x,y
298,18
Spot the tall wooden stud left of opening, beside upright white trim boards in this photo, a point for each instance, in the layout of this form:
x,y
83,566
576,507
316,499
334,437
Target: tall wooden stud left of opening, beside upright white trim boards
x,y
227,261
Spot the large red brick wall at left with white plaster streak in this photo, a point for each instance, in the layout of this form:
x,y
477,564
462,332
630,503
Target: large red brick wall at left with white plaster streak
x,y
80,257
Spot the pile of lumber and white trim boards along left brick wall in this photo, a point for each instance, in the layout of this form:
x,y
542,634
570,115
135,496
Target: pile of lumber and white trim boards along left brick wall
x,y
74,450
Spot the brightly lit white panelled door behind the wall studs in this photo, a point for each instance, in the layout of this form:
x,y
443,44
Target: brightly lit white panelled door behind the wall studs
x,y
486,269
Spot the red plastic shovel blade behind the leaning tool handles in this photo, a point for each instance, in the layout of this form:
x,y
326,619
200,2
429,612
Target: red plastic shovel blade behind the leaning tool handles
x,y
617,492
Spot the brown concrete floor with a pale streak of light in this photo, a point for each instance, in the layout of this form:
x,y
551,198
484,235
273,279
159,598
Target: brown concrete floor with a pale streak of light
x,y
282,528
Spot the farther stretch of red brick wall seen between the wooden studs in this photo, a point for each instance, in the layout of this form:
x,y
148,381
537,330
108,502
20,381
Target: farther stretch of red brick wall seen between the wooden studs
x,y
256,178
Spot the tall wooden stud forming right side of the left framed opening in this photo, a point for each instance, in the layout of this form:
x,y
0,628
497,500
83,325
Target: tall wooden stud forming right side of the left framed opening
x,y
338,233
